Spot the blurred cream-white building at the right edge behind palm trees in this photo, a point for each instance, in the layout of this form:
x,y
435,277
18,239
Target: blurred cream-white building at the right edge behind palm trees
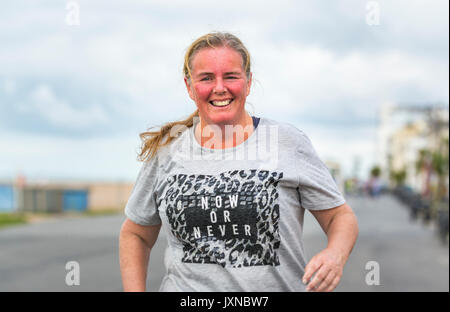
x,y
406,130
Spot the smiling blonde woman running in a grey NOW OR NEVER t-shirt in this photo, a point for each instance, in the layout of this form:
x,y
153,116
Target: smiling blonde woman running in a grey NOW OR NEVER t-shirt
x,y
233,220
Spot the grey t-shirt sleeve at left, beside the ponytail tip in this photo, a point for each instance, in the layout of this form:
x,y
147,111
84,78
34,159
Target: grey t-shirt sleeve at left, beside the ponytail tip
x,y
141,207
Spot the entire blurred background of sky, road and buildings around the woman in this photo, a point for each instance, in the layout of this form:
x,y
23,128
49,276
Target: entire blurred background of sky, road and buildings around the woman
x,y
367,81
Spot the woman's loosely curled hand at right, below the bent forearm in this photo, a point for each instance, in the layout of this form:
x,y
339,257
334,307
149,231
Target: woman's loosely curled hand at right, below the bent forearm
x,y
328,266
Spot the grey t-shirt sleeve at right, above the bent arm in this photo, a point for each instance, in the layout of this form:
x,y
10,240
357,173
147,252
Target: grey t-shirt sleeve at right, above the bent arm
x,y
317,188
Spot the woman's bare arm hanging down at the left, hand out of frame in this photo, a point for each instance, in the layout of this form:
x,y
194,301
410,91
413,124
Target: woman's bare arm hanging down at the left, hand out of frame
x,y
135,244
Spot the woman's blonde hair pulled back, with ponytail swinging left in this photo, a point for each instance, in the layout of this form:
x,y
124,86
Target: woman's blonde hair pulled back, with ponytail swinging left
x,y
153,140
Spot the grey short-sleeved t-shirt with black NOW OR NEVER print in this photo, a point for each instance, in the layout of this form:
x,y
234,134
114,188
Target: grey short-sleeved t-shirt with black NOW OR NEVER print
x,y
233,217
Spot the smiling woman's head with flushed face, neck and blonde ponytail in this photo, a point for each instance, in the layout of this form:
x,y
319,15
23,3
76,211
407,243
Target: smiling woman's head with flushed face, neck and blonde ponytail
x,y
218,81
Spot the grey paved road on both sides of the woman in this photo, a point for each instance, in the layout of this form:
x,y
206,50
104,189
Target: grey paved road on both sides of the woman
x,y
410,257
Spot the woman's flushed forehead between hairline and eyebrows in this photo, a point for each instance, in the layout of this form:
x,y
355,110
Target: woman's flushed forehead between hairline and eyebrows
x,y
217,59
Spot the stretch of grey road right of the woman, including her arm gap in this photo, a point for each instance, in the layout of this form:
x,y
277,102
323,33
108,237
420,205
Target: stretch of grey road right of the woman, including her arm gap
x,y
409,254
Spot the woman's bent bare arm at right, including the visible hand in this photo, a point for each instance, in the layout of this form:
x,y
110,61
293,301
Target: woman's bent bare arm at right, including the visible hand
x,y
341,227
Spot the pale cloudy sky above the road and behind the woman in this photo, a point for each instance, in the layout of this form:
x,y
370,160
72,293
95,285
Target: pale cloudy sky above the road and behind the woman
x,y
79,80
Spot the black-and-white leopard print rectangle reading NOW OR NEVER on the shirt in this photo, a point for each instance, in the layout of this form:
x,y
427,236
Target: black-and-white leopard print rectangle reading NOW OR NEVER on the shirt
x,y
230,219
